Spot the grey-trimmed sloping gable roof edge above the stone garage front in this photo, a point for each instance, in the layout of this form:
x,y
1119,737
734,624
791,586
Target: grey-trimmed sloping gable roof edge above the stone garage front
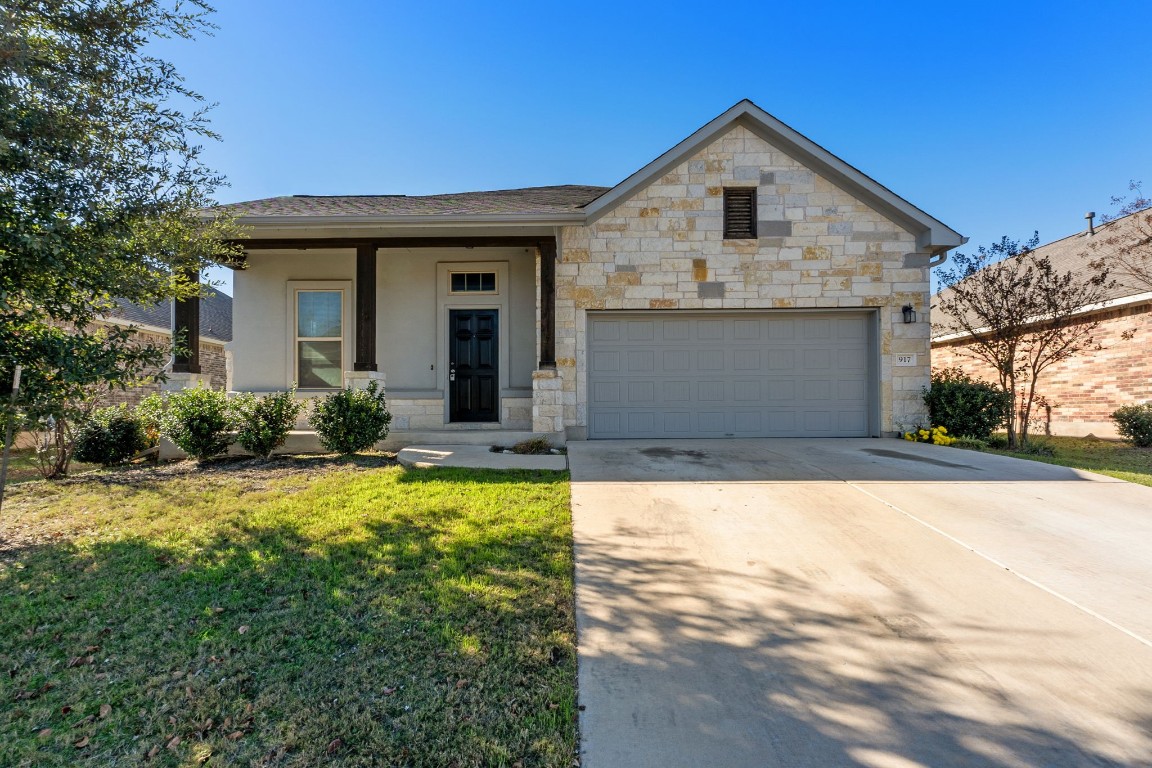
x,y
931,234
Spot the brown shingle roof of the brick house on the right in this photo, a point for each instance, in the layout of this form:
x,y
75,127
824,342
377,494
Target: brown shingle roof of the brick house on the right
x,y
1075,254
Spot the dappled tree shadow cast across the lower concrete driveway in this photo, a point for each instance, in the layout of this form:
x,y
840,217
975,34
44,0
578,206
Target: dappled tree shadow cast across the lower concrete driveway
x,y
775,676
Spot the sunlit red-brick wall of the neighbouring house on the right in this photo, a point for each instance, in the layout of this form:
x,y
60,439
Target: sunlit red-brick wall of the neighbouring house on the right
x,y
1085,391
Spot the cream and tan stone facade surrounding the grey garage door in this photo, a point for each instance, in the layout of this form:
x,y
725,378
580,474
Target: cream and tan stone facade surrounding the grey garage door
x,y
664,249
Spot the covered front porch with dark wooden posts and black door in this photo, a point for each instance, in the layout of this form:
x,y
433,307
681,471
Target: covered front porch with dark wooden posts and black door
x,y
459,330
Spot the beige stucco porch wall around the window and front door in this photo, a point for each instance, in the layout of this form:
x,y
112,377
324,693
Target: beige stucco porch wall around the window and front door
x,y
412,315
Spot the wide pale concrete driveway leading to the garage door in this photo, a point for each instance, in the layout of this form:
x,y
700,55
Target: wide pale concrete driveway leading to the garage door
x,y
858,603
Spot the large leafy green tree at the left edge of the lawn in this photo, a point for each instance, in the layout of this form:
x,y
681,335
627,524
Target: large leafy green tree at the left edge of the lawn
x,y
102,197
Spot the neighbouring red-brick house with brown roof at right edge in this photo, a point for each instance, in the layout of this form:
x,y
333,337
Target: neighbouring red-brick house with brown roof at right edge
x,y
1081,394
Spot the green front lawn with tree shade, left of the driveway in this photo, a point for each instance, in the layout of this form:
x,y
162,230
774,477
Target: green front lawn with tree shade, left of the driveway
x,y
301,613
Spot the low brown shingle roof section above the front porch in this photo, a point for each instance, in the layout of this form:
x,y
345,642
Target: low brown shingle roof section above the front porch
x,y
569,199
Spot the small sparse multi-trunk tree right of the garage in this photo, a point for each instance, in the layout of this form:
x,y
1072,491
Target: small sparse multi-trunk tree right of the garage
x,y
1015,310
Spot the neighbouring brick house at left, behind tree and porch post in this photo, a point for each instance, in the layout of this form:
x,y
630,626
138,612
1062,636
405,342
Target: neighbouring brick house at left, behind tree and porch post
x,y
154,325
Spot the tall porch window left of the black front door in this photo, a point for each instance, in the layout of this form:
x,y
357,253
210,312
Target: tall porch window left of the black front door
x,y
320,339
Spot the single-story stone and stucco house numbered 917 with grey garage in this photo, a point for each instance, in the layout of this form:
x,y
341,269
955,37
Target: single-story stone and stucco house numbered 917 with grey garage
x,y
745,284
